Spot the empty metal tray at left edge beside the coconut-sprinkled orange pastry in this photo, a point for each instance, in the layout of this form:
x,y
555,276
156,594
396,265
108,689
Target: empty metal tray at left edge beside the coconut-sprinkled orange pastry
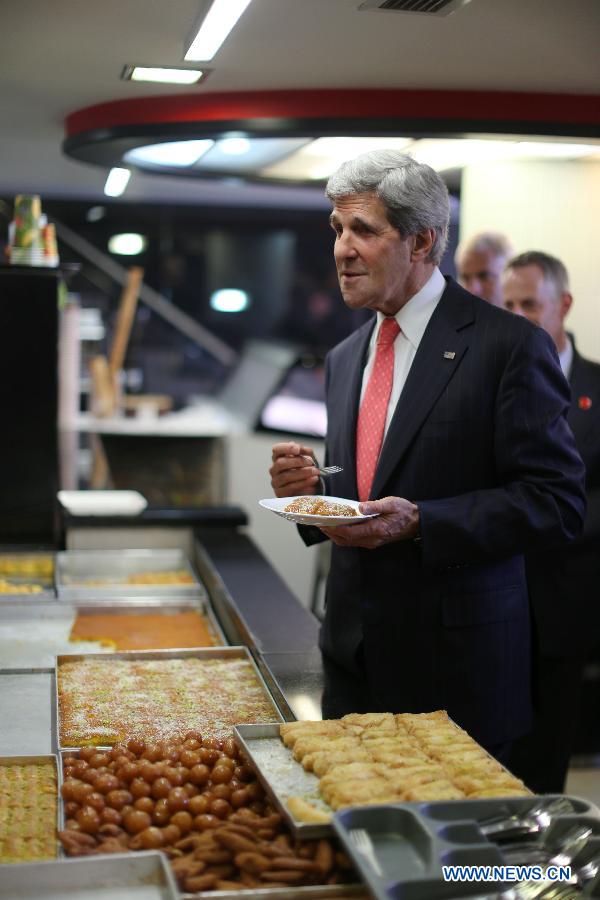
x,y
26,712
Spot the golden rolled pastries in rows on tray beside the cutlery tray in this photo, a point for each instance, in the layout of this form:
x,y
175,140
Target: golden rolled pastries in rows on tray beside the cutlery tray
x,y
385,758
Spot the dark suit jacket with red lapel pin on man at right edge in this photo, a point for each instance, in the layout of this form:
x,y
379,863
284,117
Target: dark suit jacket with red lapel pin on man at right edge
x,y
565,585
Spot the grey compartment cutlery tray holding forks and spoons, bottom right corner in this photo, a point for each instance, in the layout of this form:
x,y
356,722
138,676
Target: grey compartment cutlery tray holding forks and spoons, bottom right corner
x,y
412,841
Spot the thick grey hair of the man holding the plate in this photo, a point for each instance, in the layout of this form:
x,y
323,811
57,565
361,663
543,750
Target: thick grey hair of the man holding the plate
x,y
414,195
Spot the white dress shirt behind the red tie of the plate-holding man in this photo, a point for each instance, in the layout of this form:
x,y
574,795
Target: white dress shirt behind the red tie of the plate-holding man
x,y
413,319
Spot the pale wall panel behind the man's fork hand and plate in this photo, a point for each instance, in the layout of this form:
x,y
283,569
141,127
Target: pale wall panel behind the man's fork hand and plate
x,y
249,458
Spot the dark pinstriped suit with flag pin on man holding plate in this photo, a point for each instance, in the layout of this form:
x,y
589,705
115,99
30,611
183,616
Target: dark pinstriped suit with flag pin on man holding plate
x,y
479,440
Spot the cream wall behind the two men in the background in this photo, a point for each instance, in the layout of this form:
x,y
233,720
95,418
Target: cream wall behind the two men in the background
x,y
552,206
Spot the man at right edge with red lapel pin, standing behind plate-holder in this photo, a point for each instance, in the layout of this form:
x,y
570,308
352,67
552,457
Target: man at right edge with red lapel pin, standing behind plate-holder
x,y
563,585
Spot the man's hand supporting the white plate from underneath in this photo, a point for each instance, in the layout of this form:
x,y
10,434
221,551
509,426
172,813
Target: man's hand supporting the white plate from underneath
x,y
398,520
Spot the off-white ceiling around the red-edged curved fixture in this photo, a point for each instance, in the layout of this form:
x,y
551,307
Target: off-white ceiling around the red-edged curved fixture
x,y
57,56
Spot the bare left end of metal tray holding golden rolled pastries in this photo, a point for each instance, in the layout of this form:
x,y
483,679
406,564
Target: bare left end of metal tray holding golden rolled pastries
x,y
282,776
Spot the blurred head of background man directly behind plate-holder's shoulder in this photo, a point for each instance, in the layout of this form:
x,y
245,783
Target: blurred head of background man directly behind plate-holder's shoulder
x,y
479,264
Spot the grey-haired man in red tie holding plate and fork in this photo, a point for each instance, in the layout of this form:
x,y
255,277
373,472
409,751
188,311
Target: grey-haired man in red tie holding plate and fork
x,y
427,603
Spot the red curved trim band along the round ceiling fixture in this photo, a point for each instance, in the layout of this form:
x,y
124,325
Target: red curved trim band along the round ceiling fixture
x,y
339,104
